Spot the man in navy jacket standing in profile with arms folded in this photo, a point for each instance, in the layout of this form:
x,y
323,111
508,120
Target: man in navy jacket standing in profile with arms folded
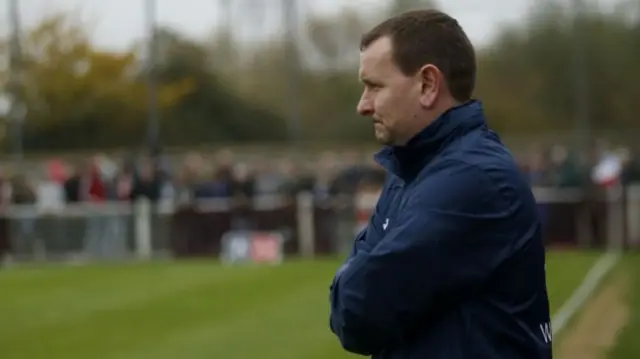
x,y
451,264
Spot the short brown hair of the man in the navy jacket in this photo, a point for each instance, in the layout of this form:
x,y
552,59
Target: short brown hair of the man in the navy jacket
x,y
423,37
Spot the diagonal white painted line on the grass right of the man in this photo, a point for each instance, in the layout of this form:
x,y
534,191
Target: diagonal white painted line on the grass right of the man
x,y
591,281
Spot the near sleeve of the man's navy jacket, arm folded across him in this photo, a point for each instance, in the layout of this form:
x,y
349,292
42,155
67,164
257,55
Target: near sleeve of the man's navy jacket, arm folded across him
x,y
429,256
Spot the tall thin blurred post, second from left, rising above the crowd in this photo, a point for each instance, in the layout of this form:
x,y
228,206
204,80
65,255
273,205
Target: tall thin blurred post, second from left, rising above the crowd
x,y
153,127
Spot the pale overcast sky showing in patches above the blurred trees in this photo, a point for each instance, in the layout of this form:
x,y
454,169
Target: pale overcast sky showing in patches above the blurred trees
x,y
119,22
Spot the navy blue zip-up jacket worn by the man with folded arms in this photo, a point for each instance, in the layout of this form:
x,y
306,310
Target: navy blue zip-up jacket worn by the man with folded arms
x,y
452,264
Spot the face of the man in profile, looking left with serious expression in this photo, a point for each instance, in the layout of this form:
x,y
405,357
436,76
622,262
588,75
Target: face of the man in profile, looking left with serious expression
x,y
390,98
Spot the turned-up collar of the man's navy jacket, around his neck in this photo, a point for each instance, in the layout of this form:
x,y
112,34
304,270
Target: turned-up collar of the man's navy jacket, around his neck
x,y
406,161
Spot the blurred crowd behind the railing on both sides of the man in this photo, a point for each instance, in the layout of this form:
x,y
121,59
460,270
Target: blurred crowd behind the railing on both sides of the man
x,y
224,175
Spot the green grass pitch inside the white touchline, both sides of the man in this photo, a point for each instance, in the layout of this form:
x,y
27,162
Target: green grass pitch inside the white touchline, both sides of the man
x,y
194,310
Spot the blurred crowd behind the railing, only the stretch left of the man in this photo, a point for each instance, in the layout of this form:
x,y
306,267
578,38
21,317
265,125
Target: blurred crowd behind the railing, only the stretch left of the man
x,y
190,177
